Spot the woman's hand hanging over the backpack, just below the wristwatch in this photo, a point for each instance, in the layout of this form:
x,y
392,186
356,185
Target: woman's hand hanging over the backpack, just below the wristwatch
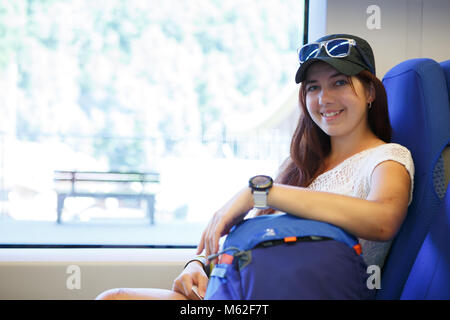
x,y
222,221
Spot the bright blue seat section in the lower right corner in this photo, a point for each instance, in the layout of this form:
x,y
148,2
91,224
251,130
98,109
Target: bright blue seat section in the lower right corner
x,y
430,276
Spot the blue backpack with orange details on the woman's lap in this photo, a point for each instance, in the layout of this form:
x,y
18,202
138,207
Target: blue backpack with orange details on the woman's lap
x,y
281,256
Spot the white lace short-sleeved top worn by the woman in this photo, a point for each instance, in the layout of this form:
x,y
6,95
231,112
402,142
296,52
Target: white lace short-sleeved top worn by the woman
x,y
352,177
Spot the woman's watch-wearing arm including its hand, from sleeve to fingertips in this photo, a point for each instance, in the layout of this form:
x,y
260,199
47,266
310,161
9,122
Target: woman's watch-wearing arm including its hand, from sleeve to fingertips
x,y
377,218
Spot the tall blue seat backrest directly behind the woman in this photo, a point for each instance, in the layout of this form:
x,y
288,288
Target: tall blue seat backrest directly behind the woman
x,y
420,115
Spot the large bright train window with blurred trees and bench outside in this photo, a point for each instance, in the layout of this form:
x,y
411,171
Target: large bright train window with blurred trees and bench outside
x,y
131,122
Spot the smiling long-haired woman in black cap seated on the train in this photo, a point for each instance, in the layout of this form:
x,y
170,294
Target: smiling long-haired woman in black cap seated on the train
x,y
342,169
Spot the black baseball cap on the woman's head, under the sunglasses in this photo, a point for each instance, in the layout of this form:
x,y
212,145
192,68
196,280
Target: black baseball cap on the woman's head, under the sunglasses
x,y
360,58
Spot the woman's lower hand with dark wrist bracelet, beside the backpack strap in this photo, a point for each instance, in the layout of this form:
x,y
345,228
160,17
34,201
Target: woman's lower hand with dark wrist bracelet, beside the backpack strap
x,y
192,275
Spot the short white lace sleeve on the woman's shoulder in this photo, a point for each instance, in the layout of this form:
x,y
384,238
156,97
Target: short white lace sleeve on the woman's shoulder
x,y
395,152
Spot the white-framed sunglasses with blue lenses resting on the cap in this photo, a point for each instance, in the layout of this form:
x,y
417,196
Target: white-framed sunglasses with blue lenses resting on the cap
x,y
335,48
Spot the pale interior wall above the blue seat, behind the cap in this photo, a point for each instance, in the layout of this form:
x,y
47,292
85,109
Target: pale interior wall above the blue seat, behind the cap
x,y
409,28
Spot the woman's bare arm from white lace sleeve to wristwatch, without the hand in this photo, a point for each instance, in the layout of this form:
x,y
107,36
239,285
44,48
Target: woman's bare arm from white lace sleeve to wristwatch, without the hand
x,y
377,218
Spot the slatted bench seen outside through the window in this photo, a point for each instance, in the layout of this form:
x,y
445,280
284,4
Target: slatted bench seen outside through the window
x,y
124,179
